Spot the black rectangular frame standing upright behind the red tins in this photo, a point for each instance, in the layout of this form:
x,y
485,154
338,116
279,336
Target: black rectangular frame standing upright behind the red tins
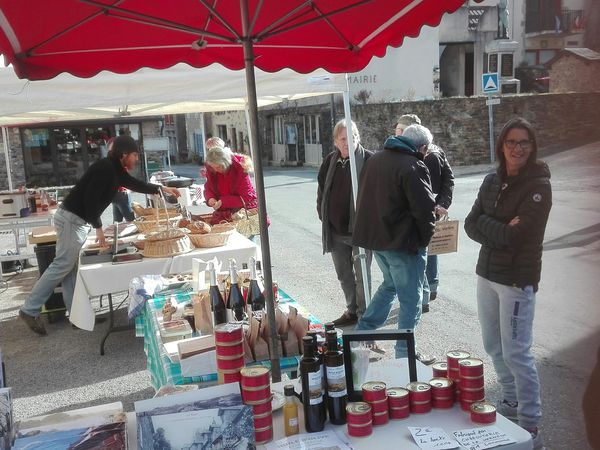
x,y
370,355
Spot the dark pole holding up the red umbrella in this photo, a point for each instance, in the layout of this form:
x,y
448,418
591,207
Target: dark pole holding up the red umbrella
x,y
260,191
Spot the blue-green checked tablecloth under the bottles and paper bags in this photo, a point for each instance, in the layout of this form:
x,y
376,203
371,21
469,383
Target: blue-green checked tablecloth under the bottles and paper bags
x,y
165,372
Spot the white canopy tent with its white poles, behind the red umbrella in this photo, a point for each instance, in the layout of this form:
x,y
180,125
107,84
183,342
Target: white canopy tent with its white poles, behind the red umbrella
x,y
148,92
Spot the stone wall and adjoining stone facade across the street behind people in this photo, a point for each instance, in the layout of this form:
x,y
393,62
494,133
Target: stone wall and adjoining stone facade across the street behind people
x,y
459,124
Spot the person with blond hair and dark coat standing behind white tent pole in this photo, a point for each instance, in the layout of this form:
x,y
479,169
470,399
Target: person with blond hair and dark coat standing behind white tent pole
x,y
335,207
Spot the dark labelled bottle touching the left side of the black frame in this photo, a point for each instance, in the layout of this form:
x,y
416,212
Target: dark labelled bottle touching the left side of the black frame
x,y
337,395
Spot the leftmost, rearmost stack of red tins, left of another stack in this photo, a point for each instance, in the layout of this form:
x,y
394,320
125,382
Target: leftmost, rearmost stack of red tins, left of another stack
x,y
229,346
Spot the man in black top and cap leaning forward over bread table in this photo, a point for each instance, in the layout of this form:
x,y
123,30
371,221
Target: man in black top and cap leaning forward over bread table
x,y
84,205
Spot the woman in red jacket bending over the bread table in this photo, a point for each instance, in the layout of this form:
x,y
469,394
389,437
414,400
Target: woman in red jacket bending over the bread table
x,y
228,187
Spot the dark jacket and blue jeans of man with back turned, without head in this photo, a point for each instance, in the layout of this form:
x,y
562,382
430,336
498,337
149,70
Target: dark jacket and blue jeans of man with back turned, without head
x,y
395,218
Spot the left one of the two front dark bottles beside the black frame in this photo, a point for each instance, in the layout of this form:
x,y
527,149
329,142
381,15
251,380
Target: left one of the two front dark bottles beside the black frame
x,y
312,391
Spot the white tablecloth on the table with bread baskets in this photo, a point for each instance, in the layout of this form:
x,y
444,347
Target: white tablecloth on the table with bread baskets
x,y
94,280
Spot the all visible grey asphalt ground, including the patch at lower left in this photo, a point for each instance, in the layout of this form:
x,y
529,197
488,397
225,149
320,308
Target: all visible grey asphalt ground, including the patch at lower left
x,y
64,370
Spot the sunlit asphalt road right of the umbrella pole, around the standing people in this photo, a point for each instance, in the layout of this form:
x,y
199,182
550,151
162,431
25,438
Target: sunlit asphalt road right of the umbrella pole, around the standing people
x,y
566,328
